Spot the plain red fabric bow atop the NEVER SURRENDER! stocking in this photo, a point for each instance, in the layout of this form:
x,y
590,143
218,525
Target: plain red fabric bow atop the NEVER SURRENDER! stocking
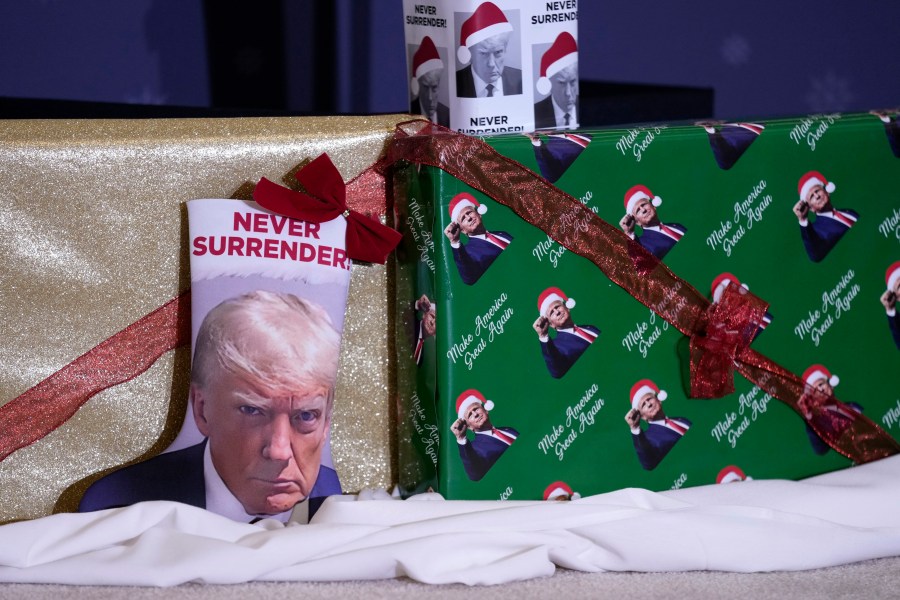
x,y
367,239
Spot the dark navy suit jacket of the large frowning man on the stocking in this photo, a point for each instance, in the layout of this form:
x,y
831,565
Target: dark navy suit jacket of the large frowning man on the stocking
x,y
176,476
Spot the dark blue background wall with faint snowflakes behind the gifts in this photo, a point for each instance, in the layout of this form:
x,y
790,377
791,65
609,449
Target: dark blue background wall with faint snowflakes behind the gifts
x,y
764,58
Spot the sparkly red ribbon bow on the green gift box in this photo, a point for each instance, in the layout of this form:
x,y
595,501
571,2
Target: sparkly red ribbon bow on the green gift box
x,y
731,324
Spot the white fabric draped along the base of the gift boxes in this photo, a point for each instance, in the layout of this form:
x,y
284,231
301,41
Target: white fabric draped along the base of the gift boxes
x,y
833,519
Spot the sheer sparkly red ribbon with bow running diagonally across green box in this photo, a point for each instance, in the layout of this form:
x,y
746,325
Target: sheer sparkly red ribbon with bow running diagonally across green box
x,y
720,333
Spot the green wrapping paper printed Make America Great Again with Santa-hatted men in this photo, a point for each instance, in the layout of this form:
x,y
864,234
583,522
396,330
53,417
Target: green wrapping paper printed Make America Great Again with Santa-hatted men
x,y
727,194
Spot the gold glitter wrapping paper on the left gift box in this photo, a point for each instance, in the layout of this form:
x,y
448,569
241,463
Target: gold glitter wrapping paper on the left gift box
x,y
93,236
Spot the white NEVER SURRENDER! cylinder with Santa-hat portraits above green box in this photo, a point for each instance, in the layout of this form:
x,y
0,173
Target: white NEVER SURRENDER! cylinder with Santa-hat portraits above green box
x,y
500,66
